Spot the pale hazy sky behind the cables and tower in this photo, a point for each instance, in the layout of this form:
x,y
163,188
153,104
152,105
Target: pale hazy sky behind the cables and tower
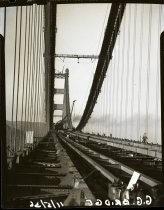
x,y
129,103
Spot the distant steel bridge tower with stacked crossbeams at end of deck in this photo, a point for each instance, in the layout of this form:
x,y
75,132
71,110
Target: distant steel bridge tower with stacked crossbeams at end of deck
x,y
65,107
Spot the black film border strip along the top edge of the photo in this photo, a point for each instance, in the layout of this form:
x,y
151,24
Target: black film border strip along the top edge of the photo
x,y
8,3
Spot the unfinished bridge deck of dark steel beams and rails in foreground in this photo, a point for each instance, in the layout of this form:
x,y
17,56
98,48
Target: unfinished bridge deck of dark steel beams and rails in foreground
x,y
70,171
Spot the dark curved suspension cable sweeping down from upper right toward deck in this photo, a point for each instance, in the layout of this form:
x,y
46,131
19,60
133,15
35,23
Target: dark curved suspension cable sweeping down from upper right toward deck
x,y
113,25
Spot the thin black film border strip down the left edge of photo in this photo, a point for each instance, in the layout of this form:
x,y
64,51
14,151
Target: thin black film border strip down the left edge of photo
x,y
3,121
